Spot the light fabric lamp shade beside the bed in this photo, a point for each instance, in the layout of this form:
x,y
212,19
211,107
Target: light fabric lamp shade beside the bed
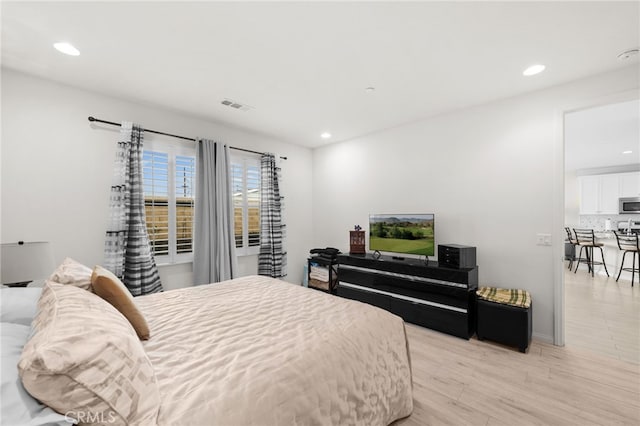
x,y
22,262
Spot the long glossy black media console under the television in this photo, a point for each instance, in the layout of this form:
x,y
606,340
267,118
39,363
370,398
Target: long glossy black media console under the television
x,y
441,298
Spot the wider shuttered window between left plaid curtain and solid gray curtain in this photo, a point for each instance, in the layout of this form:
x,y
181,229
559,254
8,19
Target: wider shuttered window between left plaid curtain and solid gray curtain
x,y
169,198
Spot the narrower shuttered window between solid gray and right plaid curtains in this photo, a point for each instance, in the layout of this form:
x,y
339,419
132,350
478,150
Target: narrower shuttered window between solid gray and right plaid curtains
x,y
245,175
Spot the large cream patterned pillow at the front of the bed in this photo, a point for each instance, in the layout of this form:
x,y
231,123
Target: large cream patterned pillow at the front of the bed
x,y
85,361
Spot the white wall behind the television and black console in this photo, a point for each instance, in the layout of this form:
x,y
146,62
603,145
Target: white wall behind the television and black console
x,y
490,174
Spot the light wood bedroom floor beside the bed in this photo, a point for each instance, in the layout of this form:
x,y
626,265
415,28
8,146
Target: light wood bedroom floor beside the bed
x,y
460,382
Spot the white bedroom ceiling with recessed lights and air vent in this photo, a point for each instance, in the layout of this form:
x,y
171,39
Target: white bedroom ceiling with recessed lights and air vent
x,y
303,66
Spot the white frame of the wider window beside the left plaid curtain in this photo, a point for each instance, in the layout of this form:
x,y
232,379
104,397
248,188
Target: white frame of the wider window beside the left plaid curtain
x,y
174,149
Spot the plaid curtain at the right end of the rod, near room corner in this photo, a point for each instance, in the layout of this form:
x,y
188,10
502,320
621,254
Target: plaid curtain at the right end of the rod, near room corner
x,y
272,260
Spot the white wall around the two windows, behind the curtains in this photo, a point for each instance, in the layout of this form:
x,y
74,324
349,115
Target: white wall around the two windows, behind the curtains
x,y
56,170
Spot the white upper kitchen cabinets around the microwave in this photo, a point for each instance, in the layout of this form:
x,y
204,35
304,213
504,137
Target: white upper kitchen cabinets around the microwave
x,y
599,193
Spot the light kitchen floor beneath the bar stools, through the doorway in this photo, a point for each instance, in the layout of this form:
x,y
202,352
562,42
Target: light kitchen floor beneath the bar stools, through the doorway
x,y
602,315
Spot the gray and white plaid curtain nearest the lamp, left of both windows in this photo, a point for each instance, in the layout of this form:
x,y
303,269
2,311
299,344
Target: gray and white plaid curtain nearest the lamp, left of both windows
x,y
127,250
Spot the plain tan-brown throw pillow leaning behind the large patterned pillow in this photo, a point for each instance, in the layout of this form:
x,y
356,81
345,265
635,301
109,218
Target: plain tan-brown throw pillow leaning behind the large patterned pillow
x,y
106,285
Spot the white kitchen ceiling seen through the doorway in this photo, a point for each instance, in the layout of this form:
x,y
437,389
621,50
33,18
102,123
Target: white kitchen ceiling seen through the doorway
x,y
598,137
